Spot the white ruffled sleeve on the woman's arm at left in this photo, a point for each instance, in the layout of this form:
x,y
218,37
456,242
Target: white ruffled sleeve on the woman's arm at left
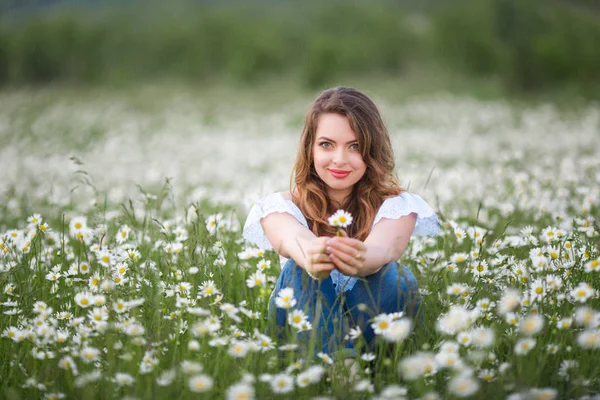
x,y
273,203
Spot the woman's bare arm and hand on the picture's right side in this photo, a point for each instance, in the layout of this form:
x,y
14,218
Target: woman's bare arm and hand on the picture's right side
x,y
386,242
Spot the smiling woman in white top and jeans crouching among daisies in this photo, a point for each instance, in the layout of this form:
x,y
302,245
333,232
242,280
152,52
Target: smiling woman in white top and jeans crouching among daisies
x,y
345,161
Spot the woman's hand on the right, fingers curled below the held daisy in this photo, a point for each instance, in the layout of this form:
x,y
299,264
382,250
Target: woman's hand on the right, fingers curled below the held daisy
x,y
347,254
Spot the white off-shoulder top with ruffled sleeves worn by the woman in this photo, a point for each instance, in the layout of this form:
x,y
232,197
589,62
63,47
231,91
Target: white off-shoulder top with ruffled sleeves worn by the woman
x,y
392,208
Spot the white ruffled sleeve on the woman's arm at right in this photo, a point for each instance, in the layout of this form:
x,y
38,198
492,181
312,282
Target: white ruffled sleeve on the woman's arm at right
x,y
405,204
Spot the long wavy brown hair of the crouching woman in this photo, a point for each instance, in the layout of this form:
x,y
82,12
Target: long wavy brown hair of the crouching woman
x,y
309,192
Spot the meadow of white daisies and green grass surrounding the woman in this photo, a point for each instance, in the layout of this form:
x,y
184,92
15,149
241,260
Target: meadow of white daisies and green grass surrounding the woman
x,y
124,274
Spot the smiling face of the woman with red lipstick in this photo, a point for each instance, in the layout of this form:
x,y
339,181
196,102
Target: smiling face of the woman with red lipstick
x,y
336,156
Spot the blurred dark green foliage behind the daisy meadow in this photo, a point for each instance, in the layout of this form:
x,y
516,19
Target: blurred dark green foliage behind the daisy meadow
x,y
527,46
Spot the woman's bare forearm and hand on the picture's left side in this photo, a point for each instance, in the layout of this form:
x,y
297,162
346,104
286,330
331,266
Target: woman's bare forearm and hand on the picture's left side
x,y
291,239
